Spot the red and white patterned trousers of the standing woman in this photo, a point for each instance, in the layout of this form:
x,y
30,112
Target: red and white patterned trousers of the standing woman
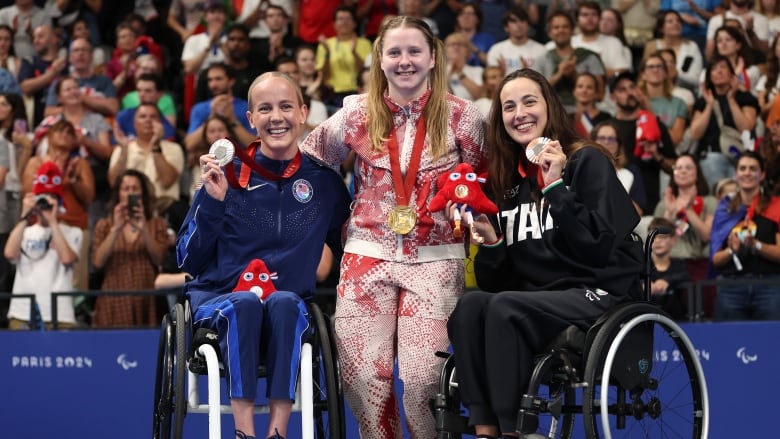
x,y
386,309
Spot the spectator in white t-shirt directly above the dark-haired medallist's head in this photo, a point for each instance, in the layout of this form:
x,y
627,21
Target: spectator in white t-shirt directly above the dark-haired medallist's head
x,y
518,51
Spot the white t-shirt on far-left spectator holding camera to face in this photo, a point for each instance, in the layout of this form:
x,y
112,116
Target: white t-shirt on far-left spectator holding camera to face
x,y
39,272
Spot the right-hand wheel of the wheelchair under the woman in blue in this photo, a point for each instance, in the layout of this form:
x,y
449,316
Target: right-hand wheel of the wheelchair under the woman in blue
x,y
329,415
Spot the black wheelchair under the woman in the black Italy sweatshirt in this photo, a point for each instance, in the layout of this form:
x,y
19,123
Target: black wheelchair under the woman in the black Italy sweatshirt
x,y
633,374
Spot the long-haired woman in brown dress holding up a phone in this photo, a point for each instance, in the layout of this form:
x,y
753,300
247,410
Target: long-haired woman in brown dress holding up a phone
x,y
129,244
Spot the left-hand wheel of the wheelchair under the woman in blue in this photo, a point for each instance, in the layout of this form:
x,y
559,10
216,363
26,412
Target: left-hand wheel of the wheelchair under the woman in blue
x,y
169,398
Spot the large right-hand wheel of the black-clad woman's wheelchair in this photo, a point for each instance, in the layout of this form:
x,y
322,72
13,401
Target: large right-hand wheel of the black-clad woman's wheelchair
x,y
645,379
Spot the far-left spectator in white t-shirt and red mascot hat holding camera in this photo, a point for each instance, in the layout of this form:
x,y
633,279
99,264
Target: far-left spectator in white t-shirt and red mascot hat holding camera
x,y
44,251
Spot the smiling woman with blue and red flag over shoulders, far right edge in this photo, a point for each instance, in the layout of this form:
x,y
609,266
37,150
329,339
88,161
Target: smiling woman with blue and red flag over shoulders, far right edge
x,y
745,245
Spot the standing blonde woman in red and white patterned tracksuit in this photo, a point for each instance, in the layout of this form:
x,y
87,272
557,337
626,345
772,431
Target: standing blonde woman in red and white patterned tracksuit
x,y
402,271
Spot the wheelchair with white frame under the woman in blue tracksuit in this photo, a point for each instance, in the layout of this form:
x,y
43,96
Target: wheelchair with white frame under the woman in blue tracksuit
x,y
182,355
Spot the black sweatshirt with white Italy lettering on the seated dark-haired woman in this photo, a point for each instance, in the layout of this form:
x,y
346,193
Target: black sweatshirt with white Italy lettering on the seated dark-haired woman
x,y
578,236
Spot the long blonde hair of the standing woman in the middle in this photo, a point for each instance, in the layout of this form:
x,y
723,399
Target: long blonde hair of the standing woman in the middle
x,y
380,119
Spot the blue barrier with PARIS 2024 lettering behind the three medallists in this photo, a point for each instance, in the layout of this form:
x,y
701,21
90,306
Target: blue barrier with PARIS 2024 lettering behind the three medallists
x,y
84,384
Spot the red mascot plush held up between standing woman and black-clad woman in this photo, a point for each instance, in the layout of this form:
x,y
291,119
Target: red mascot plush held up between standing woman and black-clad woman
x,y
462,186
